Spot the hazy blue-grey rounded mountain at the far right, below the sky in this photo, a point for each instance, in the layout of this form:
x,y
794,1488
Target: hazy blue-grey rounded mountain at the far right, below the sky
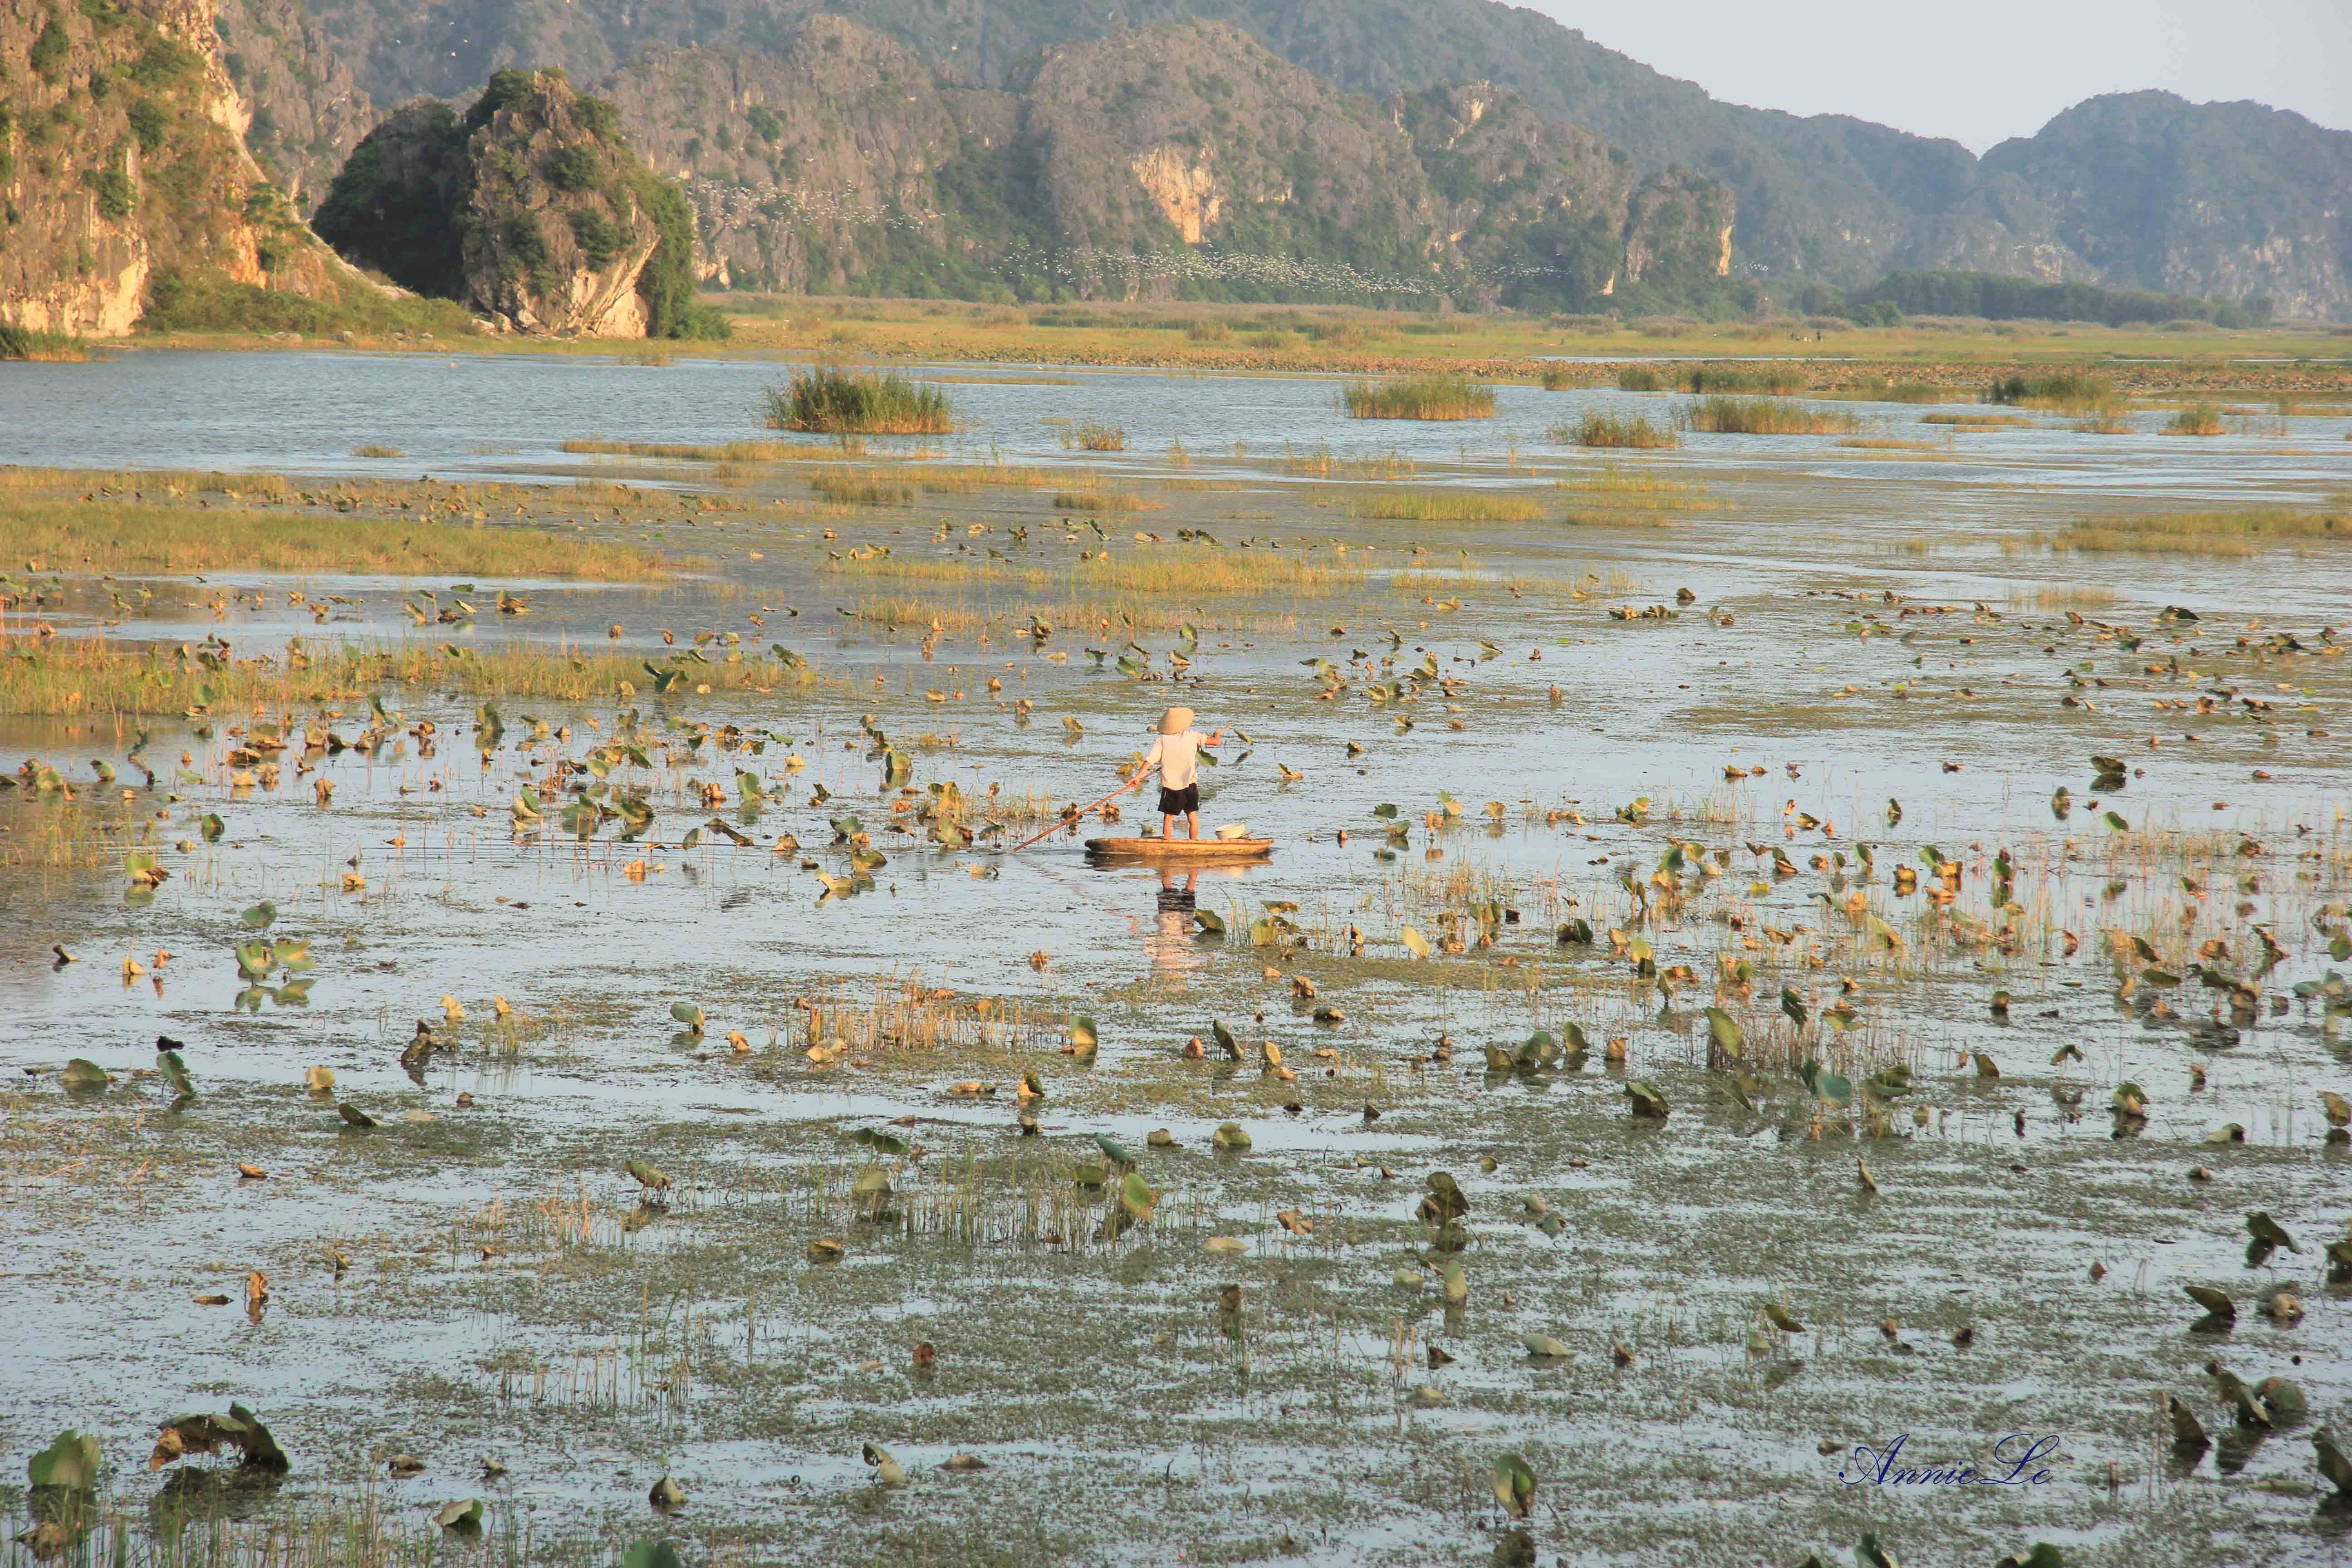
x,y
2231,201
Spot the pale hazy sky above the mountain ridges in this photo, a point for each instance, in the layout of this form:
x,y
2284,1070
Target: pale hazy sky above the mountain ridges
x,y
1991,69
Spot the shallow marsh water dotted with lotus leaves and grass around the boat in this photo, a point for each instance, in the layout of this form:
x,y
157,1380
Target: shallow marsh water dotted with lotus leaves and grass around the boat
x,y
1942,824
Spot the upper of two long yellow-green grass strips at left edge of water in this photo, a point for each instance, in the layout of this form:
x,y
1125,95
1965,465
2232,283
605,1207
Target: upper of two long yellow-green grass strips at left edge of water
x,y
114,537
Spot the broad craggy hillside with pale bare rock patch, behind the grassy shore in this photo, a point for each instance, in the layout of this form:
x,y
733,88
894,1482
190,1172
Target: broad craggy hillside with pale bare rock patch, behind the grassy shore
x,y
1156,163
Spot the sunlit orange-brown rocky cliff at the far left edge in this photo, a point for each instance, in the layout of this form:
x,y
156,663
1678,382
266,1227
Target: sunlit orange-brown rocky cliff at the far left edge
x,y
121,166
